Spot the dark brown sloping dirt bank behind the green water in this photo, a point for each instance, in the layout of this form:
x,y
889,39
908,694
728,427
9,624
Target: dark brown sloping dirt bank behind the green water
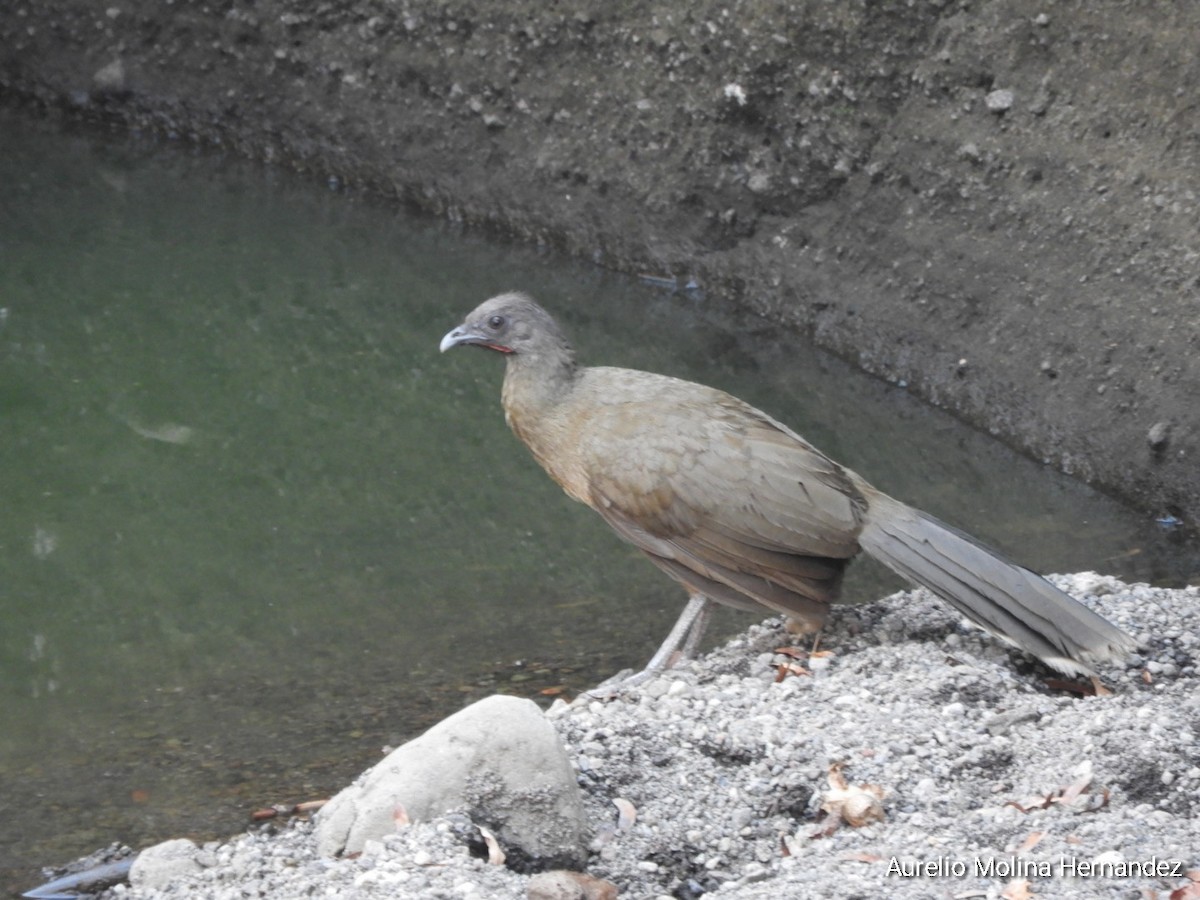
x,y
994,202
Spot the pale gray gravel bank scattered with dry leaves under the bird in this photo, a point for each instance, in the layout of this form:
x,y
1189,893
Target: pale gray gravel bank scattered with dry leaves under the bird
x,y
994,782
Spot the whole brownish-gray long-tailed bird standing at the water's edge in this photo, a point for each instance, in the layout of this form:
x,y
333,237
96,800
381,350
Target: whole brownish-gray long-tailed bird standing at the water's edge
x,y
742,511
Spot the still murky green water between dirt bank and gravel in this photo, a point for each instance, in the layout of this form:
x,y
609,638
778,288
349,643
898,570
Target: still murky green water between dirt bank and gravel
x,y
256,527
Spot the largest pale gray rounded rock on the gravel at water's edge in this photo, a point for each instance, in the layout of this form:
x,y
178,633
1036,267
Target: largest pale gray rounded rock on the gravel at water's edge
x,y
499,761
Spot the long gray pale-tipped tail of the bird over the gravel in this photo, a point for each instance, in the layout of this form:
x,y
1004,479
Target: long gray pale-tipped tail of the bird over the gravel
x,y
1001,597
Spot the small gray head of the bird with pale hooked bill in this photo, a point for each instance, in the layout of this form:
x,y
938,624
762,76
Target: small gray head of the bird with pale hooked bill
x,y
512,325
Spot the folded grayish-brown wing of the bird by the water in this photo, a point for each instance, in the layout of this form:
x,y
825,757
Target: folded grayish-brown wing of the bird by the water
x,y
713,485
